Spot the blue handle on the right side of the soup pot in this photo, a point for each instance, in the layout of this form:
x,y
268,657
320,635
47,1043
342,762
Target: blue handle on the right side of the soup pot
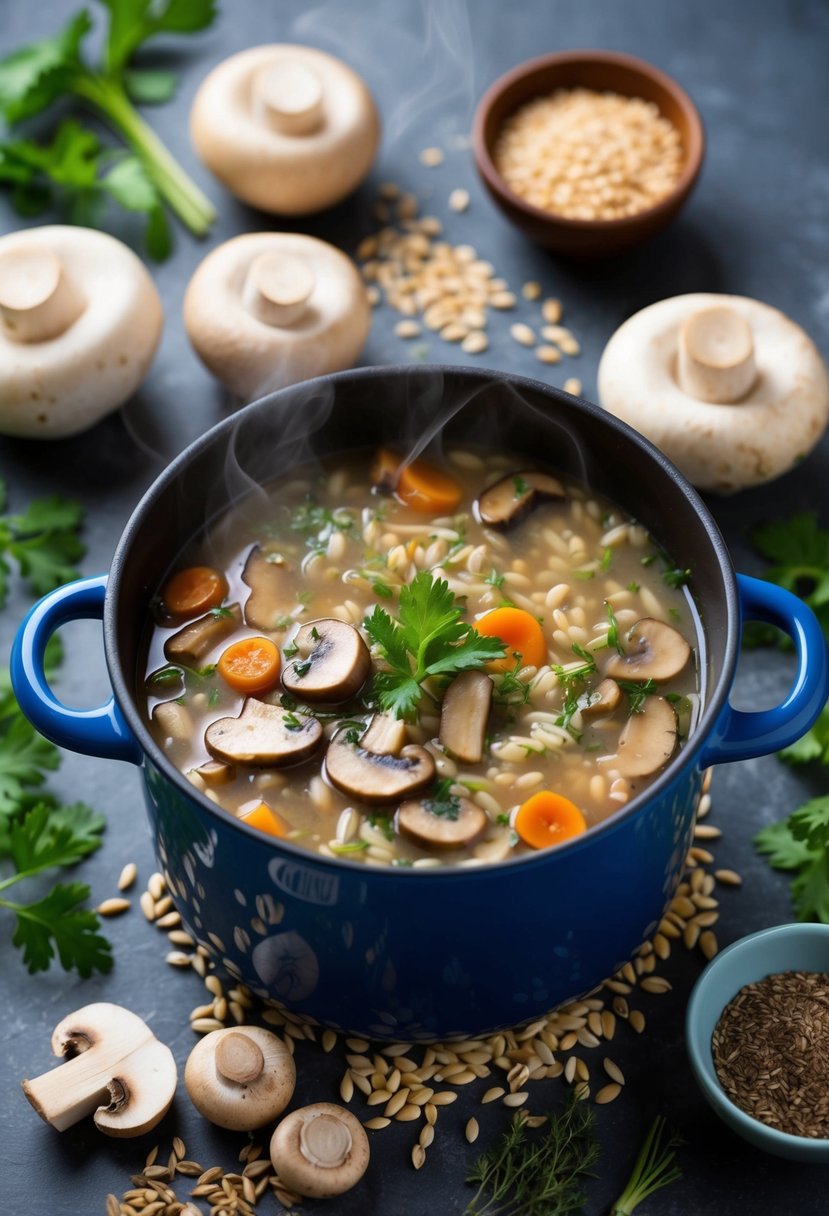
x,y
740,735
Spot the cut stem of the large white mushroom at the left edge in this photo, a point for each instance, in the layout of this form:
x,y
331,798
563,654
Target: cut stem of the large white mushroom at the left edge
x,y
37,300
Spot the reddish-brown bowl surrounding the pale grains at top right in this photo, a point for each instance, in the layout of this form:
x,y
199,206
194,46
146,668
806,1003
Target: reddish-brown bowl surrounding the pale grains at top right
x,y
695,154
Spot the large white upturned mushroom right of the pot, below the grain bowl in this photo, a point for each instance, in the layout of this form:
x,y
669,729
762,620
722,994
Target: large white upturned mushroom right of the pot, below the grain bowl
x,y
731,390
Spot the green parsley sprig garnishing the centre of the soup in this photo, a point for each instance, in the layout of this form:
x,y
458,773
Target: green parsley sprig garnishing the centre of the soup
x,y
428,639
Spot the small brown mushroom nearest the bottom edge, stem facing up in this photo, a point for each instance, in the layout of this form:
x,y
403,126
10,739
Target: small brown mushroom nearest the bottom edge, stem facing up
x,y
320,1151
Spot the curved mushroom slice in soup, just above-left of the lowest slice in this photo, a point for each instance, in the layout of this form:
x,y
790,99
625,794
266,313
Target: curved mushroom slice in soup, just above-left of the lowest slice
x,y
371,778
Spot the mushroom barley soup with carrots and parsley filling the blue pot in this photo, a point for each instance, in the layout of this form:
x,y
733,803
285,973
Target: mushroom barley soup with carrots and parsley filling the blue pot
x,y
421,665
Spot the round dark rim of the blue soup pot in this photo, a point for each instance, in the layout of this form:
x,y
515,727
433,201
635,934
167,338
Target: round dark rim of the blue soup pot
x,y
126,697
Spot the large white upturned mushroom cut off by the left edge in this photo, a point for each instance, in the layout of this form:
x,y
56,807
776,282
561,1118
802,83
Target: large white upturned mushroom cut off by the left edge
x,y
81,322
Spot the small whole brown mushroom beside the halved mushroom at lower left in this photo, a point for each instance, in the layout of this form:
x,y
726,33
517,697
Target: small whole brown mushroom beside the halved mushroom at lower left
x,y
241,1079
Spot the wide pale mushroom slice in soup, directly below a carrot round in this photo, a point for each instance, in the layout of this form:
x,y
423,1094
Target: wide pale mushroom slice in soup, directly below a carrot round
x,y
264,736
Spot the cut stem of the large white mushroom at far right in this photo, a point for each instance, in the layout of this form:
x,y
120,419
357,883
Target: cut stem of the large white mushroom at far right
x,y
717,356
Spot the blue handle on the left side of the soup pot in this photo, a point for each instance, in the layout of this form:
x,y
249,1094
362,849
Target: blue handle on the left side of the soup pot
x,y
97,733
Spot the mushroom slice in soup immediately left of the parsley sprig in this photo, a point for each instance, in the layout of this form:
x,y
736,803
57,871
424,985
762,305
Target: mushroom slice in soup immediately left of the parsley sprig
x,y
332,666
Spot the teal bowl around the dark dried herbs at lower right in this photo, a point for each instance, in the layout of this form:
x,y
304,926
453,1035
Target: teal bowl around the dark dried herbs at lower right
x,y
787,948
